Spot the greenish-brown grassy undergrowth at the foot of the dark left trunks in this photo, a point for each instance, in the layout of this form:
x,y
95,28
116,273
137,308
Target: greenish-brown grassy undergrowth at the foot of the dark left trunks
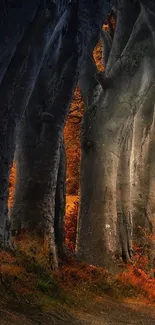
x,y
25,276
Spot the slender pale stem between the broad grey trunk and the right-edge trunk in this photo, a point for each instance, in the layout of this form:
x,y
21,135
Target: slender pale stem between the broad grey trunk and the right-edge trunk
x,y
125,227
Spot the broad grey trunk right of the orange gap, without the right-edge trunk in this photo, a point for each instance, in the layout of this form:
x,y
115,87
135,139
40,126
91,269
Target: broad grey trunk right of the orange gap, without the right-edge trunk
x,y
105,219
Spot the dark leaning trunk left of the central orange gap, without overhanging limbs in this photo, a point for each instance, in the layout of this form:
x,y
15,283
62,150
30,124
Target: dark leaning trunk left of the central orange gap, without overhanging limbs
x,y
40,140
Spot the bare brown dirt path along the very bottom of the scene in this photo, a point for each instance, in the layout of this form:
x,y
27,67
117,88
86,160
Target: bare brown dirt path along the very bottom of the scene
x,y
101,313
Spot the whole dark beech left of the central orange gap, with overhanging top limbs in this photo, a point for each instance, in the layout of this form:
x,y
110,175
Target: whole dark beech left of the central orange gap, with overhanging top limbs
x,y
38,146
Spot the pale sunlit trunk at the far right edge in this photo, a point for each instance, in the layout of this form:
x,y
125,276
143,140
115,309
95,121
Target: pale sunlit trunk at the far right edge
x,y
140,169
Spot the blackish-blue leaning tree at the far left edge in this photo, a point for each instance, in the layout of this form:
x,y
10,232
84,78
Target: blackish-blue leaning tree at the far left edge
x,y
23,60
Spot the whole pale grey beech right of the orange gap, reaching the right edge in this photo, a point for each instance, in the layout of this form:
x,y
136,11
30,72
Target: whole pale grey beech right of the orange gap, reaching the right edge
x,y
117,137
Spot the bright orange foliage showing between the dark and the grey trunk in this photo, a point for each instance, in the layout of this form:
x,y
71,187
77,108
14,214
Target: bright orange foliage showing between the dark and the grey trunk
x,y
72,142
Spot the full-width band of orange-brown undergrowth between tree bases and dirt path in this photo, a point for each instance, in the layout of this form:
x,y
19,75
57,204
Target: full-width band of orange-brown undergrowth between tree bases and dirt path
x,y
26,277
